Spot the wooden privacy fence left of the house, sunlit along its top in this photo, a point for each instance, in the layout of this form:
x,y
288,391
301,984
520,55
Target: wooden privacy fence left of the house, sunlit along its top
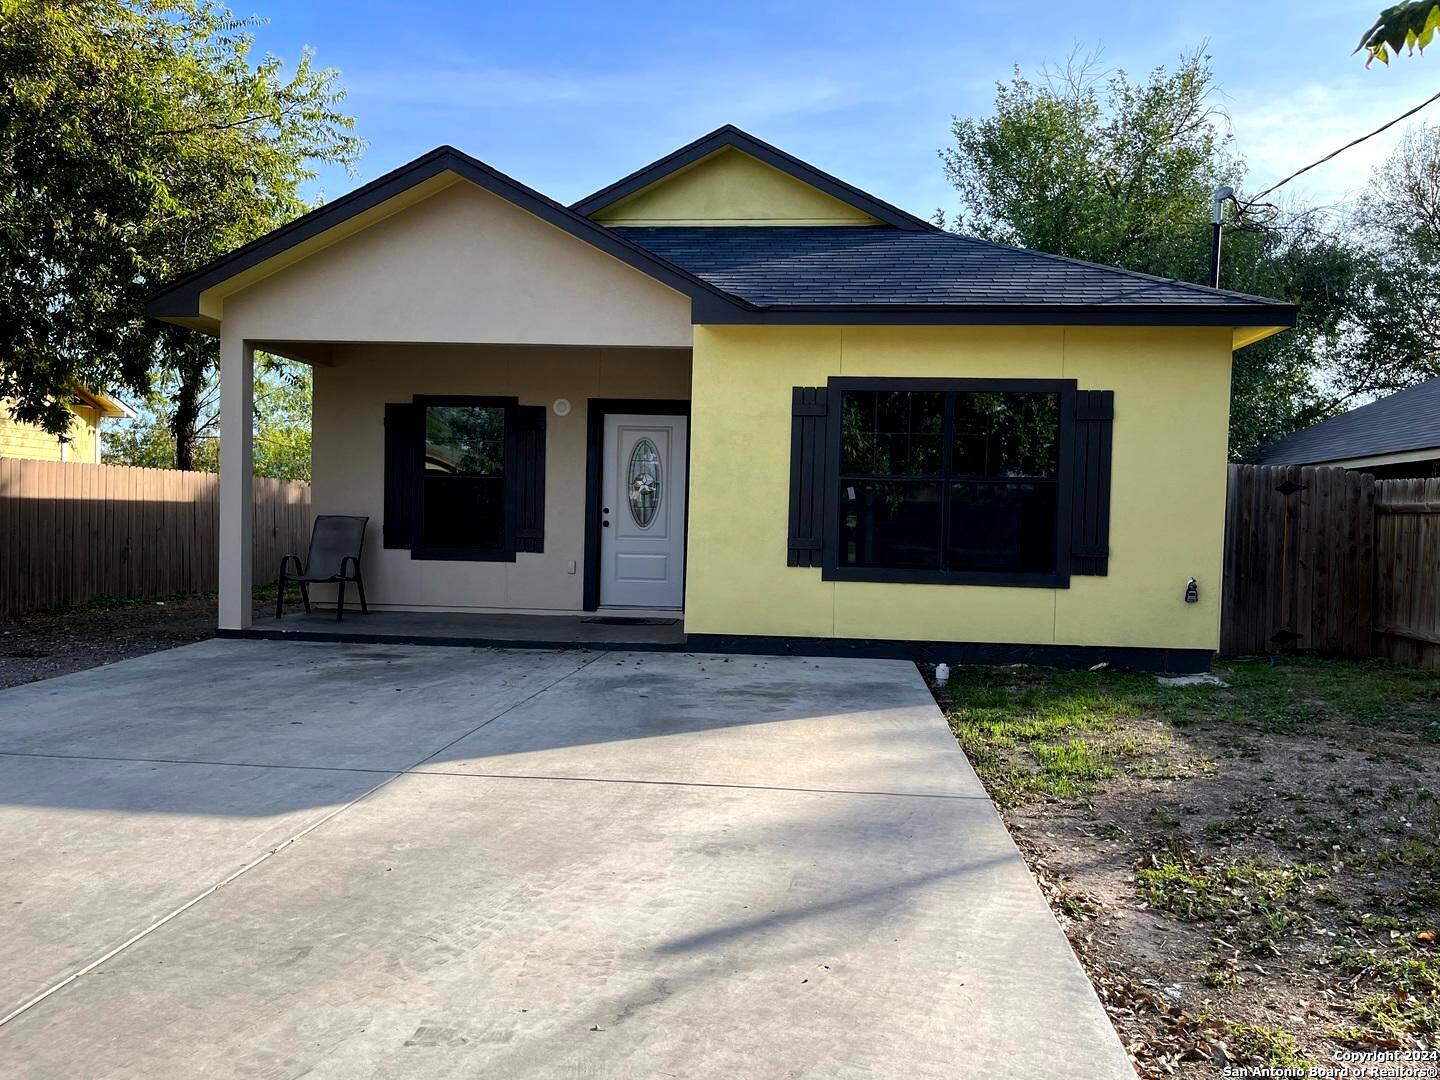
x,y
71,534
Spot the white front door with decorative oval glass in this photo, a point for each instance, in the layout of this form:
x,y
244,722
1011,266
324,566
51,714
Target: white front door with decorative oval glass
x,y
643,512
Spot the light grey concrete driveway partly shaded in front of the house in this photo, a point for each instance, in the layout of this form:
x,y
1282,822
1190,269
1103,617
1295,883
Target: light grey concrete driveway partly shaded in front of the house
x,y
336,862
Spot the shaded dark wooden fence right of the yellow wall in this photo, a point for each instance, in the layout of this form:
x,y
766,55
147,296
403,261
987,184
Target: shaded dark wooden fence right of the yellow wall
x,y
1331,561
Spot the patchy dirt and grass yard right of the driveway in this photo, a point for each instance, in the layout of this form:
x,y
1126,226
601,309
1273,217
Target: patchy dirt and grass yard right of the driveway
x,y
1249,873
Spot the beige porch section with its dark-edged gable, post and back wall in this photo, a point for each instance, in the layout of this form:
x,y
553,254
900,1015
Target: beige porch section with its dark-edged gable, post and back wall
x,y
453,289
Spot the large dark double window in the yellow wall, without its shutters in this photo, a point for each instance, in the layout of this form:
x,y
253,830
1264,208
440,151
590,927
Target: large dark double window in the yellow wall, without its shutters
x,y
950,482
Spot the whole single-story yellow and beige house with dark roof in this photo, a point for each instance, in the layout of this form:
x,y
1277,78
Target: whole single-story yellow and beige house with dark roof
x,y
734,388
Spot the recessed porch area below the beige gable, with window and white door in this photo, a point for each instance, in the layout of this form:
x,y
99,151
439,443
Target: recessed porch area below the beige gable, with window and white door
x,y
495,482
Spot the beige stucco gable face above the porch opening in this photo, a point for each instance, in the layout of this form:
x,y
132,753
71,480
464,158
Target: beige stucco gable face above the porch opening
x,y
463,266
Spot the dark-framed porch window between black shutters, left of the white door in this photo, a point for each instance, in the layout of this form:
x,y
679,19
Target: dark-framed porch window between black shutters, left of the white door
x,y
463,496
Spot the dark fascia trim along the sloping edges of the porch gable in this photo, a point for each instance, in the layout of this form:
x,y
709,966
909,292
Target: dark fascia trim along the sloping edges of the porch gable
x,y
182,299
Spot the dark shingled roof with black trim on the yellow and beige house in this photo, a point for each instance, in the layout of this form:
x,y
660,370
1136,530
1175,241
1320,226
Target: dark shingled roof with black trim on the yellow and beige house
x,y
901,271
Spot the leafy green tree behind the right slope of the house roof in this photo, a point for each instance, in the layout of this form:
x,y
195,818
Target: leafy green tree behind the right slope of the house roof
x,y
1121,172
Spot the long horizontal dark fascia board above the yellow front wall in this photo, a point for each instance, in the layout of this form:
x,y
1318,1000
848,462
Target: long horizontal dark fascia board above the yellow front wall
x,y
1009,315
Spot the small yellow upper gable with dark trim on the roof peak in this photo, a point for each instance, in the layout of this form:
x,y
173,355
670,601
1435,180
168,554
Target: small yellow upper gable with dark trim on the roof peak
x,y
728,159
